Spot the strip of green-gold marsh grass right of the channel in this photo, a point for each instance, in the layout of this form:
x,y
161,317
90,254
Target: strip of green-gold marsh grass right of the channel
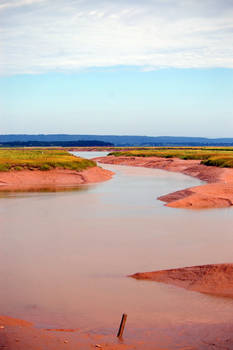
x,y
221,157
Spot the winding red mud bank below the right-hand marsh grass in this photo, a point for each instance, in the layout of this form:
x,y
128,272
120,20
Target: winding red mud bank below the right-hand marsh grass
x,y
218,193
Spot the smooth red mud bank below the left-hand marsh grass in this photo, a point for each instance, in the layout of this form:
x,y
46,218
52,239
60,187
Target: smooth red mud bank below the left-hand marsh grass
x,y
36,179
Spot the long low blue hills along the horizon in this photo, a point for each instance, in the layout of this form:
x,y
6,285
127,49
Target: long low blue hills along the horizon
x,y
117,140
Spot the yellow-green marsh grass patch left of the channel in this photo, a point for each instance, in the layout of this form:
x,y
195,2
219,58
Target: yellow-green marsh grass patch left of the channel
x,y
41,159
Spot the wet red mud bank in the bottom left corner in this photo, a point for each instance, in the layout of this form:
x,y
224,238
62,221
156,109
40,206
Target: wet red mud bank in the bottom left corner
x,y
16,334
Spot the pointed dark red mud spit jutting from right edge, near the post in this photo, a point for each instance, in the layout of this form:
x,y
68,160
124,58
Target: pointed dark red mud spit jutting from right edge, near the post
x,y
209,279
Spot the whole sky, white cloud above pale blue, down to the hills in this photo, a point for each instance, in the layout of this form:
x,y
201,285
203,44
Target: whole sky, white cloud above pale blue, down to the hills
x,y
132,67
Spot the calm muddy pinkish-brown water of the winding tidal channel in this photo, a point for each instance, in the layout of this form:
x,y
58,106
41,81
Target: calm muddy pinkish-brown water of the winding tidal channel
x,y
65,255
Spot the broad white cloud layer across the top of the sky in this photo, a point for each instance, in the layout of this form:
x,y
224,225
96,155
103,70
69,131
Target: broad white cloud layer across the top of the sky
x,y
38,36
